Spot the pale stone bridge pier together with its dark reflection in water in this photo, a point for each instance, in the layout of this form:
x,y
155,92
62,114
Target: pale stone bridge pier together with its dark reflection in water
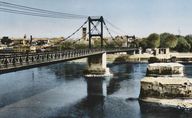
x,y
97,75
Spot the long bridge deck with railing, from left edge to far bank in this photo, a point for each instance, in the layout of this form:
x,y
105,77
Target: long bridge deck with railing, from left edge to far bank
x,y
14,62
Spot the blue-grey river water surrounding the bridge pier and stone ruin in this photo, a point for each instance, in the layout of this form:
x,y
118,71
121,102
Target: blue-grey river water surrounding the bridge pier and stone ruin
x,y
60,90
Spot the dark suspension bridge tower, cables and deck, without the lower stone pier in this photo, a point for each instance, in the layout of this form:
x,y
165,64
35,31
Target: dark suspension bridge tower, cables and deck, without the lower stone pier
x,y
96,26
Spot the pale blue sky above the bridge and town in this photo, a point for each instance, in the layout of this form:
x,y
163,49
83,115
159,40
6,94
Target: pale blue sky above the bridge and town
x,y
133,17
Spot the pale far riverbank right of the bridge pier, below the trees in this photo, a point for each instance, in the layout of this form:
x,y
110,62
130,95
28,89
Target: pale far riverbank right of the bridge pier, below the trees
x,y
185,58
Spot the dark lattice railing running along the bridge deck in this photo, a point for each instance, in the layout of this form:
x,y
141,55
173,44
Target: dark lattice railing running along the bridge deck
x,y
15,60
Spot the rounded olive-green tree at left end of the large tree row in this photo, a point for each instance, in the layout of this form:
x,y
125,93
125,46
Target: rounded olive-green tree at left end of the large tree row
x,y
153,41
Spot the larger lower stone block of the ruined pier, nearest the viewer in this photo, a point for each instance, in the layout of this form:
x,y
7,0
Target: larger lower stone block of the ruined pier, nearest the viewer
x,y
166,87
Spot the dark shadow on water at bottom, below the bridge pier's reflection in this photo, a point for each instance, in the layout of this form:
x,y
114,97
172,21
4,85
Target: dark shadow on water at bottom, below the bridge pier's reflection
x,y
90,107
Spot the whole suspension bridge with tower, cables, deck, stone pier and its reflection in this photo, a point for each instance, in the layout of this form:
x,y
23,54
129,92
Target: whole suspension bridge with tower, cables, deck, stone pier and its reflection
x,y
96,57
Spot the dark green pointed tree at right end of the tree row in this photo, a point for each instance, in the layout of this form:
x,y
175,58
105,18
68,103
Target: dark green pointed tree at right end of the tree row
x,y
182,45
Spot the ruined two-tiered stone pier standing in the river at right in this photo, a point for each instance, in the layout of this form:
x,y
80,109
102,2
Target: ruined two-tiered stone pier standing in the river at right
x,y
165,84
